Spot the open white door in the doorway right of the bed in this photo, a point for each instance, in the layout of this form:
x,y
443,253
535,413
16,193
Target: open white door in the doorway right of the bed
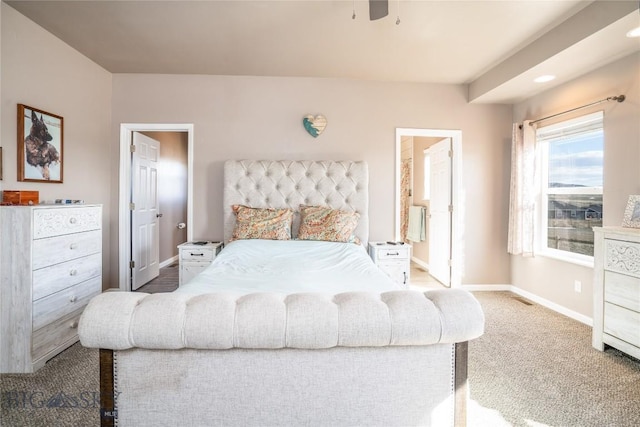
x,y
440,212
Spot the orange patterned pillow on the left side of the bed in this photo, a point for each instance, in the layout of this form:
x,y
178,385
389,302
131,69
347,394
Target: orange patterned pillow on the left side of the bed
x,y
262,223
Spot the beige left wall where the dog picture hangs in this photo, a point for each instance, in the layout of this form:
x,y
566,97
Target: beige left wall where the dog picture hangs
x,y
41,71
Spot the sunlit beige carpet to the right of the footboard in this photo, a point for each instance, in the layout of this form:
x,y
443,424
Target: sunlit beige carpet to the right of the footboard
x,y
534,367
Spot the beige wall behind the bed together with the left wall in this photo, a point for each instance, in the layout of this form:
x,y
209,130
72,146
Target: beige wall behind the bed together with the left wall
x,y
250,117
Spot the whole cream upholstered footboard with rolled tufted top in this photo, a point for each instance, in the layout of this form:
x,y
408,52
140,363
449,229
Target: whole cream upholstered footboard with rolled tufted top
x,y
269,359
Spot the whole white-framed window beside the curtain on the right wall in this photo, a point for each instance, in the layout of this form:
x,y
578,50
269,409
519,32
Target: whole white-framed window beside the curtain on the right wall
x,y
571,171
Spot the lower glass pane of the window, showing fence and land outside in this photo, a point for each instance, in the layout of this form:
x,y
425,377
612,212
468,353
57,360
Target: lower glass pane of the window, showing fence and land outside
x,y
570,221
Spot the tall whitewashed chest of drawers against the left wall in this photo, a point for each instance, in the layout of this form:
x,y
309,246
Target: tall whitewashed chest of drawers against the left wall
x,y
51,266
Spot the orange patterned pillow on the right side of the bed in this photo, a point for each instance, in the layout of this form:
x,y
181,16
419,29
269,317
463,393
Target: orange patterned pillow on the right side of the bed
x,y
323,223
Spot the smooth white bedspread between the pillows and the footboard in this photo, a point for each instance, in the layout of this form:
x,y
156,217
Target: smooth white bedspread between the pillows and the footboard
x,y
290,266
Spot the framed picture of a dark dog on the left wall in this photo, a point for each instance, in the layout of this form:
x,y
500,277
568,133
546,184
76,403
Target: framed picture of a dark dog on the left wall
x,y
40,143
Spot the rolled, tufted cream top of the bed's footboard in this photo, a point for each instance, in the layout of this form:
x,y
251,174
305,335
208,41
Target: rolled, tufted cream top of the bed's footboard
x,y
221,321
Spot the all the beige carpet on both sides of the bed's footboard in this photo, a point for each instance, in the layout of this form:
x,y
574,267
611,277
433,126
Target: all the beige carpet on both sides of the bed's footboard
x,y
532,367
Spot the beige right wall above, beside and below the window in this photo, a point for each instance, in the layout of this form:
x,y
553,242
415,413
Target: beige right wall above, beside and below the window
x,y
552,279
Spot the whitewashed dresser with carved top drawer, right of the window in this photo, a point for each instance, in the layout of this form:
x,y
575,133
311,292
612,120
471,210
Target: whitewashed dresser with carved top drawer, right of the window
x,y
616,309
